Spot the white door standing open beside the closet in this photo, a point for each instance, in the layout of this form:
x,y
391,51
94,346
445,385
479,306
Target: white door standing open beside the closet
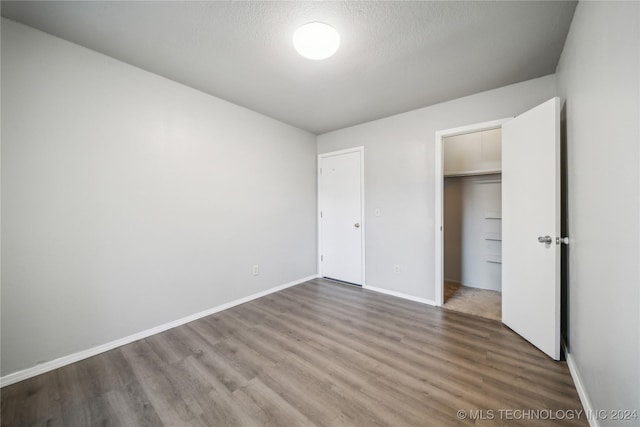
x,y
531,224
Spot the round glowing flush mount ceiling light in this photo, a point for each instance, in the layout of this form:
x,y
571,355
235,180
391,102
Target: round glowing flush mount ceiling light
x,y
316,40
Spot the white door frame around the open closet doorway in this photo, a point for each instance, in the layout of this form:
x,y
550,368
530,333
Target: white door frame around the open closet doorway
x,y
439,178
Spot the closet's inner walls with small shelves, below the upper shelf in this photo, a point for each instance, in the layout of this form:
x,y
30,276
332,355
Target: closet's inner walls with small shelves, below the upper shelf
x,y
472,249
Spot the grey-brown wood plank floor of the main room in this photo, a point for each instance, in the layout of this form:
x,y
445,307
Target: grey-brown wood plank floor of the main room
x,y
319,354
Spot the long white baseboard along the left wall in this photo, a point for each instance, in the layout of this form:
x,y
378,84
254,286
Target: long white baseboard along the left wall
x,y
84,354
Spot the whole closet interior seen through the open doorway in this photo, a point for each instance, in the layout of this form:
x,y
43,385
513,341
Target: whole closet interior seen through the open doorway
x,y
473,223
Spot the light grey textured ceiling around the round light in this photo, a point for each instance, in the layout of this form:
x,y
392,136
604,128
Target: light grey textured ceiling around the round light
x,y
394,56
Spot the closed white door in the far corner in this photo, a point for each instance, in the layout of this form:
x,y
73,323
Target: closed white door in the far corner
x,y
341,222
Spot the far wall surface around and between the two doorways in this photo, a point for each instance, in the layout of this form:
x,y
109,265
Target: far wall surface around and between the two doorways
x,y
400,179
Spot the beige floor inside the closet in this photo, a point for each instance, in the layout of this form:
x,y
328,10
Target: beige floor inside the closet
x,y
479,302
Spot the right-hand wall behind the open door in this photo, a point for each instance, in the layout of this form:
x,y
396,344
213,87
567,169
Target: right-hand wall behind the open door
x,y
599,75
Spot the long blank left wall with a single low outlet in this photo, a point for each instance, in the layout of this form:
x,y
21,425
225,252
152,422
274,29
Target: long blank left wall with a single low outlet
x,y
129,200
